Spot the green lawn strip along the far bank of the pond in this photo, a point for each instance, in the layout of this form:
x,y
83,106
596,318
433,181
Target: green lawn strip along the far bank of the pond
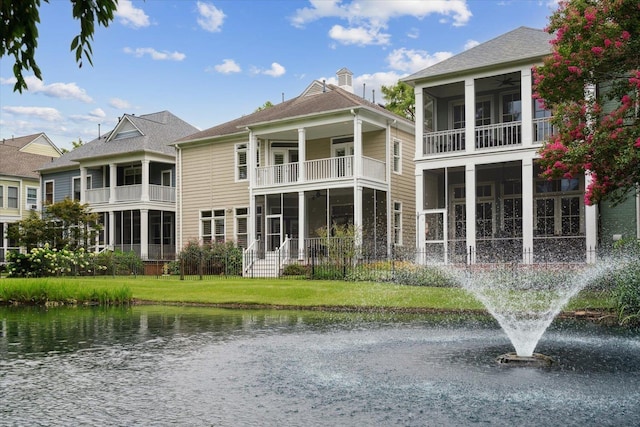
x,y
256,292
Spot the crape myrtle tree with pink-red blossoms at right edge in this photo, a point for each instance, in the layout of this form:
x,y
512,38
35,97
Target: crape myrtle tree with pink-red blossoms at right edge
x,y
591,82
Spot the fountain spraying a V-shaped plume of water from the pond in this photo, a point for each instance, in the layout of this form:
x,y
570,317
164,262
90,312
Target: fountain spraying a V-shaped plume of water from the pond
x,y
525,299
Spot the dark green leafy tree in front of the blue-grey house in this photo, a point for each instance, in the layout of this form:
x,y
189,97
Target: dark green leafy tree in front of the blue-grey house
x,y
66,224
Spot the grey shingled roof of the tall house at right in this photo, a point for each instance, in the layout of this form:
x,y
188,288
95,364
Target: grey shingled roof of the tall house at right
x,y
520,45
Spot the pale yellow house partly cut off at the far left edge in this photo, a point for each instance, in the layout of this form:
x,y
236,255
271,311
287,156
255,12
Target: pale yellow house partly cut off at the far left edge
x,y
19,181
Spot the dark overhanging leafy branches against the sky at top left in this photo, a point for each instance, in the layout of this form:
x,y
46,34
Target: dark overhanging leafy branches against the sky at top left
x,y
19,32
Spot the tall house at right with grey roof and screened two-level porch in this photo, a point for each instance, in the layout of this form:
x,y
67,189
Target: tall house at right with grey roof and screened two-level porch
x,y
478,190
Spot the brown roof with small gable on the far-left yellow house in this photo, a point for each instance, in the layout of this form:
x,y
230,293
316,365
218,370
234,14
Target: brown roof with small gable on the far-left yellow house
x,y
16,162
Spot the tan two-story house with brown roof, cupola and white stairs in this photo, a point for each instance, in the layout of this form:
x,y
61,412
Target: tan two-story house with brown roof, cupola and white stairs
x,y
271,179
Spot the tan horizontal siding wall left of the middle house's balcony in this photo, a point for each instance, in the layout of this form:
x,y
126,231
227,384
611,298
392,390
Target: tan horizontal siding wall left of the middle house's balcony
x,y
208,183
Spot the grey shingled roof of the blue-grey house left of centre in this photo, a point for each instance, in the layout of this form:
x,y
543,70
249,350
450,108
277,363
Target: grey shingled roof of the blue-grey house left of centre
x,y
154,132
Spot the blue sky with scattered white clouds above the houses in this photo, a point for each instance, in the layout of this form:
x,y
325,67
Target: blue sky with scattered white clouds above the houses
x,y
211,61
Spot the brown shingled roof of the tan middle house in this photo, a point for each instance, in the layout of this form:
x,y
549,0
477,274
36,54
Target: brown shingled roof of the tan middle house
x,y
318,98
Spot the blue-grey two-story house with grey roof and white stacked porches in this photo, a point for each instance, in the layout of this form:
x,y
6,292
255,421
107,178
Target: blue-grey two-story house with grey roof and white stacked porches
x,y
128,177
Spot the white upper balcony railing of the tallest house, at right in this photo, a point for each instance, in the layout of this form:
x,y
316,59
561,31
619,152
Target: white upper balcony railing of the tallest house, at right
x,y
493,136
